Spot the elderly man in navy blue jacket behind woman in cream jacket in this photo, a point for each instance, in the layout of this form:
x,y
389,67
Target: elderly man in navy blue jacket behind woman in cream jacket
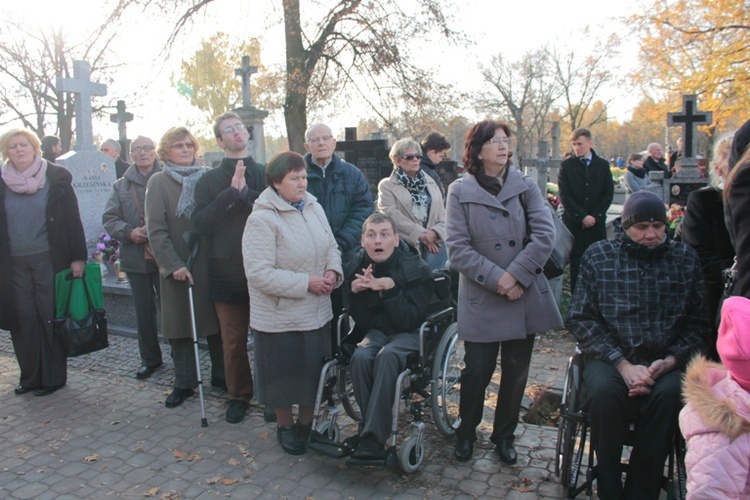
x,y
344,194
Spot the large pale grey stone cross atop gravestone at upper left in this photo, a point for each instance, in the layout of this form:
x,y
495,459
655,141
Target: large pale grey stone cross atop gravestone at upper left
x,y
83,88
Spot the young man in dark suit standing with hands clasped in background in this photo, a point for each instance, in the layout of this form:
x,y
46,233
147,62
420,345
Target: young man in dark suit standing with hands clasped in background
x,y
586,190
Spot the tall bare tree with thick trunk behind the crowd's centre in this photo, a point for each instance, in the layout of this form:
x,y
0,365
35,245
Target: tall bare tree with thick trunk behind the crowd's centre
x,y
354,48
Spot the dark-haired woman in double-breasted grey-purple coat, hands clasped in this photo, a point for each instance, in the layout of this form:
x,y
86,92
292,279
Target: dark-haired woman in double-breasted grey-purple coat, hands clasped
x,y
500,233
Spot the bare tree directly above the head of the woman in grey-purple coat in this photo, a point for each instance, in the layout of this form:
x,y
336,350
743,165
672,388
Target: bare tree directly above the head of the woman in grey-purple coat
x,y
523,92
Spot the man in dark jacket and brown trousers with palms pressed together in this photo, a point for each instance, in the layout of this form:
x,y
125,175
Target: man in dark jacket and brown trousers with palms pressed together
x,y
224,198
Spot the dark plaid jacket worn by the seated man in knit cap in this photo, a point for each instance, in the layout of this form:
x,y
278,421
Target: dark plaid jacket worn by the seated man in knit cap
x,y
639,303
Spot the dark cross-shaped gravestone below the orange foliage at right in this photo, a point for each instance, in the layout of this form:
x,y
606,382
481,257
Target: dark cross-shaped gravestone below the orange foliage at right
x,y
676,189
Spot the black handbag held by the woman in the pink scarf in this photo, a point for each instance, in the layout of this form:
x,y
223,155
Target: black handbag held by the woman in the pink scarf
x,y
83,336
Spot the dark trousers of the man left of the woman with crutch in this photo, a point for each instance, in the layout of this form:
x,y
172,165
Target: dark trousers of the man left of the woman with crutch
x,y
145,288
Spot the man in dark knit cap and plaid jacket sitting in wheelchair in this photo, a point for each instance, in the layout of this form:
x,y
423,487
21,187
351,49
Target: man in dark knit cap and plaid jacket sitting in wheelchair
x,y
638,314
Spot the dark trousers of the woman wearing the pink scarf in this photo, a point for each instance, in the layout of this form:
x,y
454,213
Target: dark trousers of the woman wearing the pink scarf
x,y
40,354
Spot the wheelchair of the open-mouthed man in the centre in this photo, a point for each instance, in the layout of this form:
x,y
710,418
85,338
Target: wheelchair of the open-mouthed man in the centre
x,y
431,380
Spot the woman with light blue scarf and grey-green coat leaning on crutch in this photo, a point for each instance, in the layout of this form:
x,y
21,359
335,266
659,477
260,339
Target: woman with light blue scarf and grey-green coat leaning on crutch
x,y
169,203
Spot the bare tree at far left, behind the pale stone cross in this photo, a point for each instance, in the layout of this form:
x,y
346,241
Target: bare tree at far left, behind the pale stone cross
x,y
29,68
